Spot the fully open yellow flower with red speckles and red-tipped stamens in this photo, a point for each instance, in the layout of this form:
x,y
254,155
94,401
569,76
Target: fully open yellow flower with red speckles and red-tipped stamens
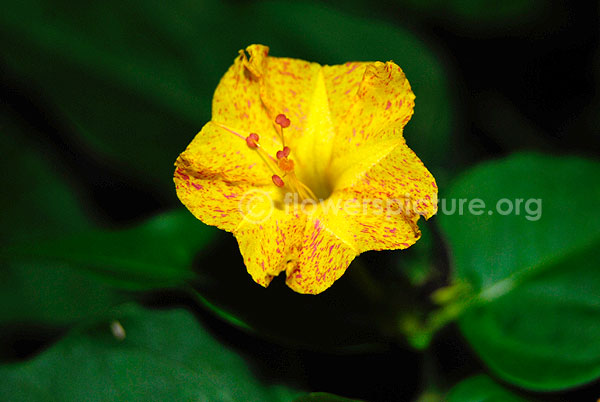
x,y
307,166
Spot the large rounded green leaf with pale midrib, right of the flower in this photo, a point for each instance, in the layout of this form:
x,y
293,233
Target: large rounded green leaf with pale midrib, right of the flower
x,y
535,316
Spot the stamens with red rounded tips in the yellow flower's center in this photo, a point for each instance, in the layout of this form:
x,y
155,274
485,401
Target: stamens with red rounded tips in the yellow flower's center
x,y
281,166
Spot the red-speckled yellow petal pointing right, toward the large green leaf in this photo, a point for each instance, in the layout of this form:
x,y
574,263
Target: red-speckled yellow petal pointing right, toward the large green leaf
x,y
383,195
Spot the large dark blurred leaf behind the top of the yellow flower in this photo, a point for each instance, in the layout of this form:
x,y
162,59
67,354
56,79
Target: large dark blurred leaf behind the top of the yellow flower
x,y
134,79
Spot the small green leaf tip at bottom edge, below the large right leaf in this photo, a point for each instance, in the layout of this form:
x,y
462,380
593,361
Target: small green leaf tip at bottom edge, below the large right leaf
x,y
481,388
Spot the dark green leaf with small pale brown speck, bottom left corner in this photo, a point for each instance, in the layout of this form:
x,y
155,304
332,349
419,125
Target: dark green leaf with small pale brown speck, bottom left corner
x,y
138,355
